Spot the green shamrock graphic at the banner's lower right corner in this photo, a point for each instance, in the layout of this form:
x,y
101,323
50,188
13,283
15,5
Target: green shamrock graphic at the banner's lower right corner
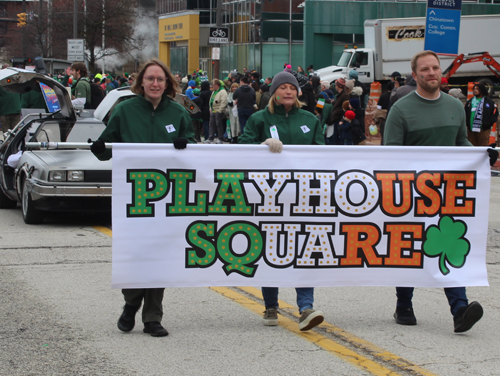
x,y
447,241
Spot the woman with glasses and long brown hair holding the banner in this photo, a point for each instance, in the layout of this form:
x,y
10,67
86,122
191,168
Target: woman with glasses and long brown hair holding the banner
x,y
150,117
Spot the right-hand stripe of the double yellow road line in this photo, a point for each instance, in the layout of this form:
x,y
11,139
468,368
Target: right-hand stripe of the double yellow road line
x,y
350,338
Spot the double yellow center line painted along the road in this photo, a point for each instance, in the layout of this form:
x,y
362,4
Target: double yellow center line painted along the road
x,y
319,340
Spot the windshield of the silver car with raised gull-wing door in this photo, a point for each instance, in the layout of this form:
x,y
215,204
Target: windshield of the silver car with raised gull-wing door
x,y
68,132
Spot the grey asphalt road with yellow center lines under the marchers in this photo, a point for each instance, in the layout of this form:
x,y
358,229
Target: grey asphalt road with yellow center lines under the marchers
x,y
58,317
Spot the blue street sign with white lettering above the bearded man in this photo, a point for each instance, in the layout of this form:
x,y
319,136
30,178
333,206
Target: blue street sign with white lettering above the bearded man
x,y
442,27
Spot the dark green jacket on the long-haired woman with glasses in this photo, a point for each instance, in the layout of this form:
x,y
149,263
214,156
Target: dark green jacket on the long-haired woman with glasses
x,y
136,121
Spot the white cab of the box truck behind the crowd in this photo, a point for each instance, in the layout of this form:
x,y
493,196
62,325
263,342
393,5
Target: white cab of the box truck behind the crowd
x,y
360,59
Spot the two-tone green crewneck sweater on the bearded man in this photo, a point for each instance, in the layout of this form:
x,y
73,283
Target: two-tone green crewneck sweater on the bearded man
x,y
416,121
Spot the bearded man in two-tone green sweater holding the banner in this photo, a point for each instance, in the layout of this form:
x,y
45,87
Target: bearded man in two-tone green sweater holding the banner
x,y
429,117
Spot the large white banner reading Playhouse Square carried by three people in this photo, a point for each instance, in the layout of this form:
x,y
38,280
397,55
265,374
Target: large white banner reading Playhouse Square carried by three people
x,y
224,215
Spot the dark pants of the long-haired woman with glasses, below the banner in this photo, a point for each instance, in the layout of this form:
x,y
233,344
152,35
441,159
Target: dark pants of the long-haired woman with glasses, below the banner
x,y
152,309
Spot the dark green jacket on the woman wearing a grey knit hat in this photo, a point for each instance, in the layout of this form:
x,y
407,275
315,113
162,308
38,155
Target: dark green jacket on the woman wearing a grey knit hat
x,y
298,127
